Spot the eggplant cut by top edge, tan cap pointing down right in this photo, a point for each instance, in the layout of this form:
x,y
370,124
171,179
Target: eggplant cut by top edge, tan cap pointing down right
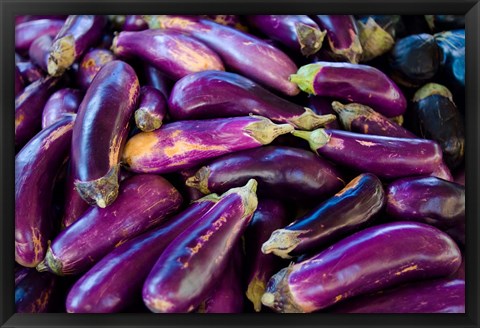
x,y
298,32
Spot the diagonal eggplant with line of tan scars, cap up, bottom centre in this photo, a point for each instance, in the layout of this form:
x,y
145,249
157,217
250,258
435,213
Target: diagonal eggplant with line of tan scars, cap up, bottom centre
x,y
185,273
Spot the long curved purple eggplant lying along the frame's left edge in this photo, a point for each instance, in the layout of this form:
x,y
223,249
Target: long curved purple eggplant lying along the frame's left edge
x,y
36,168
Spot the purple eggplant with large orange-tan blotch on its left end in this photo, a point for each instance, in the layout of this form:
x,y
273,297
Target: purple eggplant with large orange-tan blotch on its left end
x,y
186,144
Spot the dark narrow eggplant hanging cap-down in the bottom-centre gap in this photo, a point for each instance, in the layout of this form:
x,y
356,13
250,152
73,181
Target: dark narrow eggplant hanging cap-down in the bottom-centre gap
x,y
270,215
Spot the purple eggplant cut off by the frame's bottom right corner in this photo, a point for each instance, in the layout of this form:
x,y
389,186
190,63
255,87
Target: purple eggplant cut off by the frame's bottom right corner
x,y
435,296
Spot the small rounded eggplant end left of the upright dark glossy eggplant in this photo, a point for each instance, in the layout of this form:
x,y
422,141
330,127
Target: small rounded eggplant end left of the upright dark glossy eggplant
x,y
61,102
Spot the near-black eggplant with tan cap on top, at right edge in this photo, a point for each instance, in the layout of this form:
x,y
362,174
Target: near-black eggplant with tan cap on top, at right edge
x,y
438,118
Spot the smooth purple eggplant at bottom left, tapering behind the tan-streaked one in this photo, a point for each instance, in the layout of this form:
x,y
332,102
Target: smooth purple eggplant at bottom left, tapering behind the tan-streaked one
x,y
103,290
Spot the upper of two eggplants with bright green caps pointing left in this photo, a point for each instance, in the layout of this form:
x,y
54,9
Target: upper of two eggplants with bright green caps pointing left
x,y
354,83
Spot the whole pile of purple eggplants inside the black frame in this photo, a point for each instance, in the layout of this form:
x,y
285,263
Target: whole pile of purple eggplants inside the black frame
x,y
231,164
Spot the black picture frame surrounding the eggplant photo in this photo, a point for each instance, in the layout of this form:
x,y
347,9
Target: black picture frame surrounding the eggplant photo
x,y
10,8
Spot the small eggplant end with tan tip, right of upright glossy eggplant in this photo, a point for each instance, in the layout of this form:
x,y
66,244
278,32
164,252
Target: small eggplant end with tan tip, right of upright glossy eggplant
x,y
151,110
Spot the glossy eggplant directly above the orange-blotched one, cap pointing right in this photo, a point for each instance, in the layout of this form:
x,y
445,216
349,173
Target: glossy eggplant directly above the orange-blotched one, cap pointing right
x,y
214,94
